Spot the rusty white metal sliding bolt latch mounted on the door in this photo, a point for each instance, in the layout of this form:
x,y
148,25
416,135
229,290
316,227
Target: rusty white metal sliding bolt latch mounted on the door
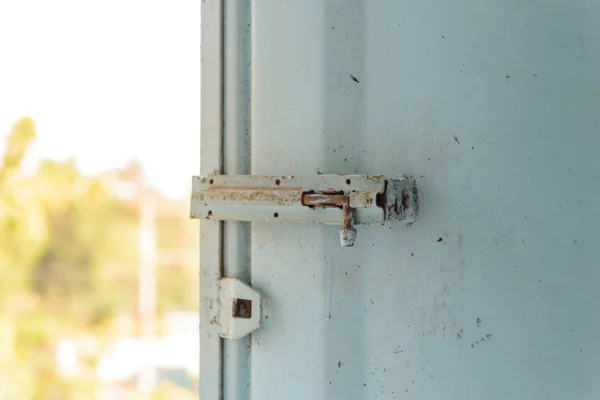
x,y
345,200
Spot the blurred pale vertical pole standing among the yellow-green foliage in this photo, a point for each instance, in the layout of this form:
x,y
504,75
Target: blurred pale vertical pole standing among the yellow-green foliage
x,y
147,285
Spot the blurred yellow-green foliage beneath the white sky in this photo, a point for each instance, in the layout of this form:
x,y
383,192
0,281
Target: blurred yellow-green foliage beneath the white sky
x,y
69,259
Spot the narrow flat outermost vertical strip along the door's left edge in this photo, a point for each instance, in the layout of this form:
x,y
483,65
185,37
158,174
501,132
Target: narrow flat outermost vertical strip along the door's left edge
x,y
211,231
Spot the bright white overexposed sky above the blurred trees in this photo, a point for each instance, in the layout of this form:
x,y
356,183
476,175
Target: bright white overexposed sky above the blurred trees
x,y
106,81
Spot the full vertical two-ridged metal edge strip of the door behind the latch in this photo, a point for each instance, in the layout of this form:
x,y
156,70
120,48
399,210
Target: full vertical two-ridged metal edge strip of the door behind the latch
x,y
225,149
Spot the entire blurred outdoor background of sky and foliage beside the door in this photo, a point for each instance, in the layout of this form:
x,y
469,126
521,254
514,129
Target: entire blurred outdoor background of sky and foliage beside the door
x,y
100,122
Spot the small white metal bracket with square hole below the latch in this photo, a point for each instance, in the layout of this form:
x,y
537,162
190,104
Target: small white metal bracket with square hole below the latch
x,y
240,309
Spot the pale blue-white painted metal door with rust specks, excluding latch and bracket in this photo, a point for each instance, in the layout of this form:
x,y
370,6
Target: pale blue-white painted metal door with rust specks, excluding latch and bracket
x,y
494,107
